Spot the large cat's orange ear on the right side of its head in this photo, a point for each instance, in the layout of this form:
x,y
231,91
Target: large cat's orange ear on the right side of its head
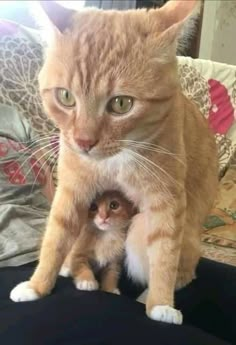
x,y
175,15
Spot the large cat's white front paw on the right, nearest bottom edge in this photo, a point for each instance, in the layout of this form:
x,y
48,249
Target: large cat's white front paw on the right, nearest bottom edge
x,y
165,313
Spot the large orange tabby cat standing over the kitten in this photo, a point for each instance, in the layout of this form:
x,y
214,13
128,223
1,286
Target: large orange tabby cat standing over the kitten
x,y
110,84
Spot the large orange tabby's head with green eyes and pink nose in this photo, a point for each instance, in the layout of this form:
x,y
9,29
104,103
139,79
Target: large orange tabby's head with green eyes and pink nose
x,y
110,76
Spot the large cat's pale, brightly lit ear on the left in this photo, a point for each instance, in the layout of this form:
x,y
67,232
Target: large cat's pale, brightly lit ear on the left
x,y
52,18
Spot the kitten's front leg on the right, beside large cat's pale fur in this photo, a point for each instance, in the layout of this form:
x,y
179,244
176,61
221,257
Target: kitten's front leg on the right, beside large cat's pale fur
x,y
110,277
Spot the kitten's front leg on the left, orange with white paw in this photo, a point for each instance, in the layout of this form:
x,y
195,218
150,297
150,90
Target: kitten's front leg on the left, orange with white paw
x,y
82,273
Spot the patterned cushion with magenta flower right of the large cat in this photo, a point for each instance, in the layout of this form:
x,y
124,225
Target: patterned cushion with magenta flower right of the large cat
x,y
212,86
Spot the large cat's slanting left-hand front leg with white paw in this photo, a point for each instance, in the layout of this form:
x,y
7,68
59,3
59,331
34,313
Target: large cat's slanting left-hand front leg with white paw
x,y
62,229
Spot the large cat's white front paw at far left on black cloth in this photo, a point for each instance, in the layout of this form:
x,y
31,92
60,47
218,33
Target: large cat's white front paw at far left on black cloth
x,y
23,293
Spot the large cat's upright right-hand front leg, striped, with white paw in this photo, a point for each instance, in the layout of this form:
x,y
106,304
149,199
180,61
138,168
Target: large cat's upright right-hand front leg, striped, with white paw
x,y
165,224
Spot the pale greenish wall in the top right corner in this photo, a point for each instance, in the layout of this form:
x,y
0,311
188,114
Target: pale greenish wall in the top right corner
x,y
218,37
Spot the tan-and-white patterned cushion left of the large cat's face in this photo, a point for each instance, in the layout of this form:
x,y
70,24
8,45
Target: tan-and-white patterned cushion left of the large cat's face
x,y
20,61
